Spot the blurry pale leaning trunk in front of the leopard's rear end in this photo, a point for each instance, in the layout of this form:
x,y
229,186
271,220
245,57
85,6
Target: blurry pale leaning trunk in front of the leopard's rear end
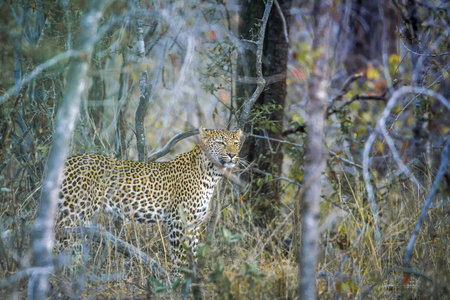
x,y
43,232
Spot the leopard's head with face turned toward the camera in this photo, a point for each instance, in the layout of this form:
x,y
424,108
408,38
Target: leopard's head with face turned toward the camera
x,y
221,146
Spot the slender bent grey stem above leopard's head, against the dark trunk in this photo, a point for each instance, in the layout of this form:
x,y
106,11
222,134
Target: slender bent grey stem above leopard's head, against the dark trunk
x,y
245,114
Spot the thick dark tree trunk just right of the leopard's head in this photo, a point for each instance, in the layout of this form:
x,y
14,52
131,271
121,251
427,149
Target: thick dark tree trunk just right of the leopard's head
x,y
267,154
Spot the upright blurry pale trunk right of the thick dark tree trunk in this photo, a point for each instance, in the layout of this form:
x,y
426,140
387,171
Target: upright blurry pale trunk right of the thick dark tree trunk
x,y
315,151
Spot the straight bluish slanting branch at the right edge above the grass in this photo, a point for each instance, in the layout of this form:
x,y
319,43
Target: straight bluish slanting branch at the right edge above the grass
x,y
442,168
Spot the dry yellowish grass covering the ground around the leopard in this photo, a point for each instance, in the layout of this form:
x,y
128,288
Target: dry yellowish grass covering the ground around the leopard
x,y
245,262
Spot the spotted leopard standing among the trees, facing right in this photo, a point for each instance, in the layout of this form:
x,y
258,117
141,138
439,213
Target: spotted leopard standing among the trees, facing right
x,y
177,192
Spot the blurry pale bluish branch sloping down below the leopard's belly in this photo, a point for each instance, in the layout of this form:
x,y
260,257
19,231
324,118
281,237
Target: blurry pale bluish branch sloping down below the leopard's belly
x,y
103,236
